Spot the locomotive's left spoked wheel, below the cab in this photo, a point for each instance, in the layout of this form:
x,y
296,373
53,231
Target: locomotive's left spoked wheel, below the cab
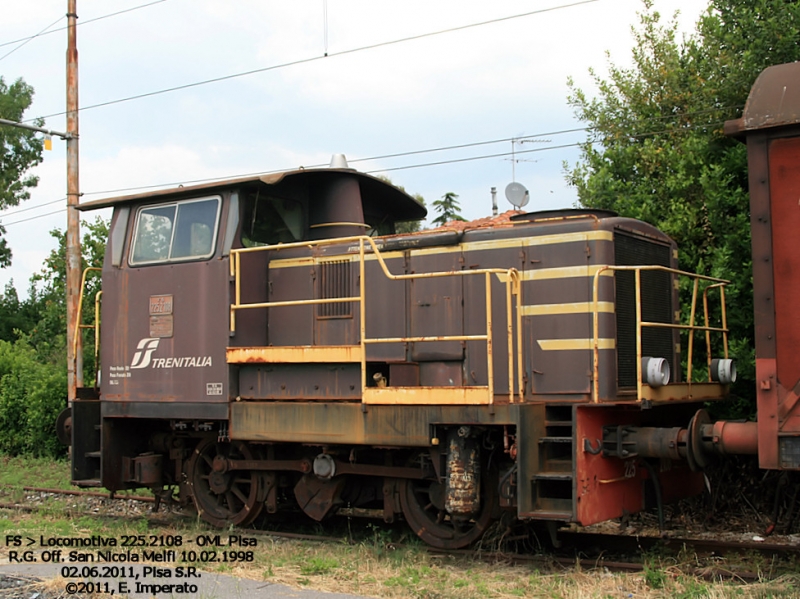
x,y
225,498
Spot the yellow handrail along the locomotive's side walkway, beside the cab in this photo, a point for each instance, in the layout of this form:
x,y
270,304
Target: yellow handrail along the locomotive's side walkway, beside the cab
x,y
509,276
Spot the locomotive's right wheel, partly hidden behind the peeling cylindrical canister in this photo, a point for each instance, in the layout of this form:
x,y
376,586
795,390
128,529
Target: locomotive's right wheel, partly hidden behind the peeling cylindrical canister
x,y
422,502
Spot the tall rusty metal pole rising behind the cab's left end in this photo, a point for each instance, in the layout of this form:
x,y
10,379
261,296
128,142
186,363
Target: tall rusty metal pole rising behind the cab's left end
x,y
73,280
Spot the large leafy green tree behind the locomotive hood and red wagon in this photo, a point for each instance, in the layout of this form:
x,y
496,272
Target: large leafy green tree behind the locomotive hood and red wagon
x,y
656,150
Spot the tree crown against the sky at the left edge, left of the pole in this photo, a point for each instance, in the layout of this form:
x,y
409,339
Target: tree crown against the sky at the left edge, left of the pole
x,y
20,150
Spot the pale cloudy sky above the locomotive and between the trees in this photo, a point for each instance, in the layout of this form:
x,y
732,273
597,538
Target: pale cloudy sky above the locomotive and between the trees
x,y
368,98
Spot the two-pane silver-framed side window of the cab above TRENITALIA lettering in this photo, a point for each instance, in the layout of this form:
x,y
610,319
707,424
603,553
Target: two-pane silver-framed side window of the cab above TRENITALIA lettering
x,y
179,231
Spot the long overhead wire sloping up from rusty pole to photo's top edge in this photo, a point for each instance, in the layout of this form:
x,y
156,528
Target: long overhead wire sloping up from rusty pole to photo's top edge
x,y
323,57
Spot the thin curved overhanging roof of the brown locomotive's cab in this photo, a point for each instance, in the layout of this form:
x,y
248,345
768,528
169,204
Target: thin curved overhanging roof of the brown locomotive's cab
x,y
404,207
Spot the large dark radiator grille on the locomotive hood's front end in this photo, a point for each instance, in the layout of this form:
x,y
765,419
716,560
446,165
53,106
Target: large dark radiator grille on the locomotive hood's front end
x,y
656,296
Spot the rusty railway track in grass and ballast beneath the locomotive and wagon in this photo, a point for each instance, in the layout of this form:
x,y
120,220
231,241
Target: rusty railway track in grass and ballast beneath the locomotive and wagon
x,y
584,550
